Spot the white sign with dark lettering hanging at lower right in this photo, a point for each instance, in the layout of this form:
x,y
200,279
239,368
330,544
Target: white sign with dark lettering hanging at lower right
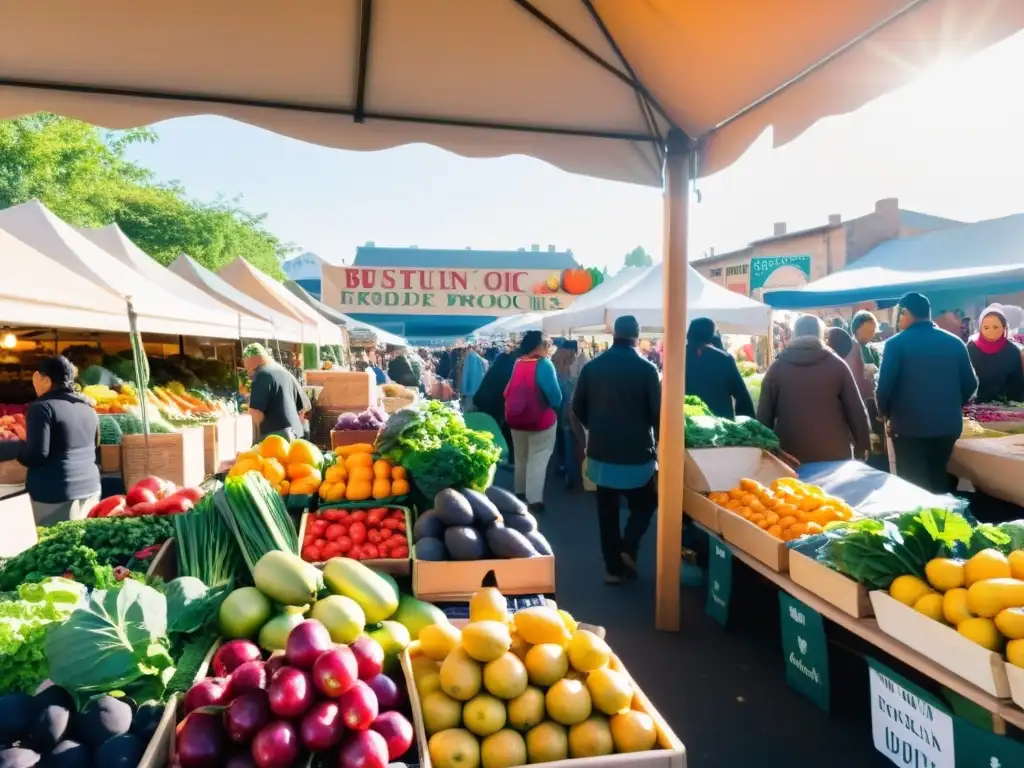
x,y
909,726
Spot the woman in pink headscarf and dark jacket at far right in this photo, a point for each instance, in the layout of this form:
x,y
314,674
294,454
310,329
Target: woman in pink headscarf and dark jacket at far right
x,y
997,360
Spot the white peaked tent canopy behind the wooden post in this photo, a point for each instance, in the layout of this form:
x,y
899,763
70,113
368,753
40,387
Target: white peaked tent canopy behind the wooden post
x,y
733,313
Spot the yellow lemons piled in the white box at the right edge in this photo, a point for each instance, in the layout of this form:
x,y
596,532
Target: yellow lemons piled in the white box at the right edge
x,y
982,598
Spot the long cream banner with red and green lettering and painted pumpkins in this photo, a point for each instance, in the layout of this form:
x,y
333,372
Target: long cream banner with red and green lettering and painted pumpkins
x,y
415,291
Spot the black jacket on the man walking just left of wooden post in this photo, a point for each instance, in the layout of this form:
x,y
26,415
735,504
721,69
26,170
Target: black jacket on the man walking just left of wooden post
x,y
618,399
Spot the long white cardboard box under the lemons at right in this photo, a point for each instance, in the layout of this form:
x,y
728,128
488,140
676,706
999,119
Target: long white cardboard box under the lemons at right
x,y
942,645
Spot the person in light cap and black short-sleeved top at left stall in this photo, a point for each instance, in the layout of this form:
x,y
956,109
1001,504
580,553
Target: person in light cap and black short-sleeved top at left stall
x,y
277,402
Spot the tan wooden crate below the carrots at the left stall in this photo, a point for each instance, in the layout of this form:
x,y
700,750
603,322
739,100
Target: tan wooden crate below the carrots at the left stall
x,y
178,457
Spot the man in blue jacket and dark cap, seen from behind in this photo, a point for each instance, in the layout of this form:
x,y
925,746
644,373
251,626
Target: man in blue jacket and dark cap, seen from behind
x,y
925,381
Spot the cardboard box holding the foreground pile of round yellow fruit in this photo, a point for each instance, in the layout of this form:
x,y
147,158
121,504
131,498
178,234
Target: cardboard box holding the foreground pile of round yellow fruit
x,y
671,753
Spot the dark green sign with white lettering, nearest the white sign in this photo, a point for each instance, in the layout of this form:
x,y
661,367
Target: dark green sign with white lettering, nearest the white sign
x,y
805,650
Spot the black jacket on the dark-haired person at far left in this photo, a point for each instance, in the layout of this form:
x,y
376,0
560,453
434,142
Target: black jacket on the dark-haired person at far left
x,y
62,435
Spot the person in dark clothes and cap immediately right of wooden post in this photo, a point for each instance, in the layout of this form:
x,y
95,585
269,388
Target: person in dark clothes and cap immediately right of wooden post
x,y
713,375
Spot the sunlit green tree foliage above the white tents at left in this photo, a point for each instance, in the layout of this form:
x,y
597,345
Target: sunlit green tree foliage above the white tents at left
x,y
84,177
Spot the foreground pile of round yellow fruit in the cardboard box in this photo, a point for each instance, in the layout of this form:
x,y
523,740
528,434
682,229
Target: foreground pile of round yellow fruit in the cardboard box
x,y
528,689
